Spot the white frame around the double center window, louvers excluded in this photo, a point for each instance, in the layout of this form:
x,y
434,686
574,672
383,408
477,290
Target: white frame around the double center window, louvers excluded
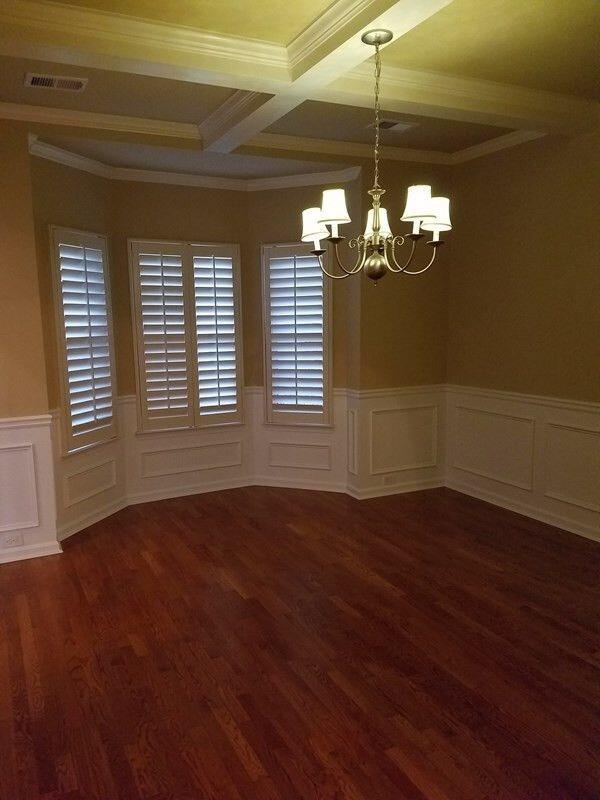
x,y
193,419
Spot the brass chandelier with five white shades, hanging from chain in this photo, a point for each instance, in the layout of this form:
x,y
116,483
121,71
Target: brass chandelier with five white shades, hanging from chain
x,y
377,248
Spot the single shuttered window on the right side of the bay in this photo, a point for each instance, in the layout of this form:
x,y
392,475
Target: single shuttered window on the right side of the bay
x,y
297,348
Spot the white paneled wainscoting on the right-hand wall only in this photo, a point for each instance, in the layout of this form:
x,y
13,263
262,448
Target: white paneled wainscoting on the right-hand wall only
x,y
538,456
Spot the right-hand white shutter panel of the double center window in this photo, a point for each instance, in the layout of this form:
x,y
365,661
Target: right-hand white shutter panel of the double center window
x,y
216,312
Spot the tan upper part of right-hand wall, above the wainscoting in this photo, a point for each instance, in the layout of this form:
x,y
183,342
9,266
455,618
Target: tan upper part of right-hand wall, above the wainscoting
x,y
524,292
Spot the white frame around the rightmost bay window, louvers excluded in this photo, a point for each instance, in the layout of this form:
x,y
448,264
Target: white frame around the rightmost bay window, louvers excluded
x,y
322,418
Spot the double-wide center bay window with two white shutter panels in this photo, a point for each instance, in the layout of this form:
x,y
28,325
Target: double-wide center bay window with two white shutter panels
x,y
187,333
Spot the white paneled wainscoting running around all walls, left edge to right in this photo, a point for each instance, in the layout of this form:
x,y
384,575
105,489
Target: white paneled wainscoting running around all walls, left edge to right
x,y
535,455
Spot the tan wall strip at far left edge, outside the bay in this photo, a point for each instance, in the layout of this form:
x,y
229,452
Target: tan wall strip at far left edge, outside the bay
x,y
22,370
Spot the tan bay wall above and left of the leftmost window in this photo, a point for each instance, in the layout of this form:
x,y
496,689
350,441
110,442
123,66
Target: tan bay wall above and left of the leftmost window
x,y
72,199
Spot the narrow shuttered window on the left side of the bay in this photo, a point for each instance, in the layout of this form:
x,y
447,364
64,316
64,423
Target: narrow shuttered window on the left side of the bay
x,y
84,336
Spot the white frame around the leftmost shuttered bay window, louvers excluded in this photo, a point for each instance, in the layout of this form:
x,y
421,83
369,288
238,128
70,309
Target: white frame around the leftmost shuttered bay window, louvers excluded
x,y
70,442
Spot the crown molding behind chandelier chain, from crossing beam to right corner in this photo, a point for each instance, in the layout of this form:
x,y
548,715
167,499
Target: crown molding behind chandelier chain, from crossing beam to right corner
x,y
294,144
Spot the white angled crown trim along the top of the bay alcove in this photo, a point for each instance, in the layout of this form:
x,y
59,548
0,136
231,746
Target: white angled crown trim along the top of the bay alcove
x,y
67,158
